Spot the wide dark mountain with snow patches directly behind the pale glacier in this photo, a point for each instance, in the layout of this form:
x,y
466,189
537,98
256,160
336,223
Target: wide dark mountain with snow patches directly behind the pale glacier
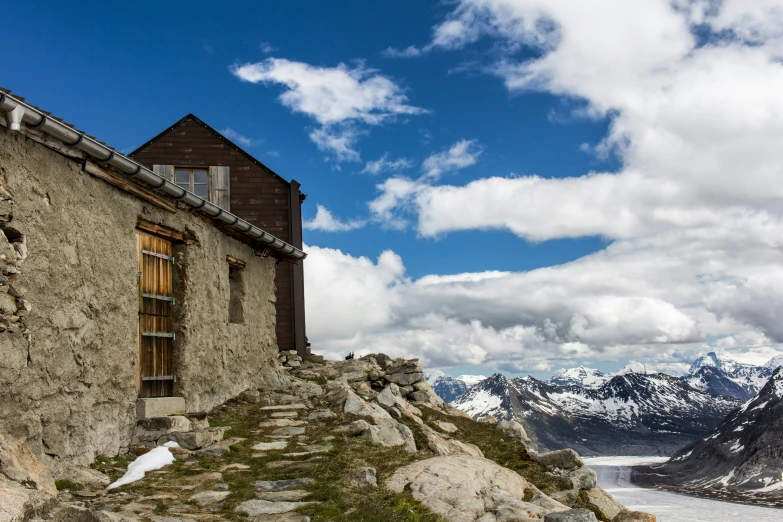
x,y
631,414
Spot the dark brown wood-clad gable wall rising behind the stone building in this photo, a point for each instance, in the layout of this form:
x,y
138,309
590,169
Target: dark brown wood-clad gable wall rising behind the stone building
x,y
257,194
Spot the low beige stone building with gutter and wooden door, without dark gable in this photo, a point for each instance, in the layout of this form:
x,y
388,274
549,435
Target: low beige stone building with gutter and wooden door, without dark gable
x,y
118,287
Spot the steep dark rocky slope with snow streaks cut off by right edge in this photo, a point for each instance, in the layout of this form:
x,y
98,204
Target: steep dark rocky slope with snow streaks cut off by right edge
x,y
743,454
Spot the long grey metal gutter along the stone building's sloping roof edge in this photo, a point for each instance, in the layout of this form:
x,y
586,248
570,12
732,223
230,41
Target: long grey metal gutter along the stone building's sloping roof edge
x,y
17,113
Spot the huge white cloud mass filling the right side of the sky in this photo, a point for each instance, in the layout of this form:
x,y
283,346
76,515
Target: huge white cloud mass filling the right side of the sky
x,y
693,218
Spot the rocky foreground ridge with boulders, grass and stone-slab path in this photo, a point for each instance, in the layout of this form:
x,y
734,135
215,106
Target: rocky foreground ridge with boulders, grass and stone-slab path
x,y
365,439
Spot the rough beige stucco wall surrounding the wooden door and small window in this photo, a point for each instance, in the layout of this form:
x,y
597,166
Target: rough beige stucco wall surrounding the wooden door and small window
x,y
70,391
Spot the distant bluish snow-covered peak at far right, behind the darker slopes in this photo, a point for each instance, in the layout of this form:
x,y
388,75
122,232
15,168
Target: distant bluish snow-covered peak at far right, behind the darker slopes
x,y
718,375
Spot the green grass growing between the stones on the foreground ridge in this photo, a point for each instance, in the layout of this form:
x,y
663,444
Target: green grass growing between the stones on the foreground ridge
x,y
336,499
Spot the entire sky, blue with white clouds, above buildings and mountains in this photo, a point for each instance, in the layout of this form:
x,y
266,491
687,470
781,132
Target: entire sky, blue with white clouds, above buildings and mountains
x,y
534,100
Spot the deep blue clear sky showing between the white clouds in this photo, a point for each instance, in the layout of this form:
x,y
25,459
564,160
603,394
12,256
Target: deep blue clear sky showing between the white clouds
x,y
148,64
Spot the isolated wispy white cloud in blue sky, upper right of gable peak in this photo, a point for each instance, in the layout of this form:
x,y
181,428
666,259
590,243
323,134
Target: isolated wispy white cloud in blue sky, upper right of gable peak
x,y
338,98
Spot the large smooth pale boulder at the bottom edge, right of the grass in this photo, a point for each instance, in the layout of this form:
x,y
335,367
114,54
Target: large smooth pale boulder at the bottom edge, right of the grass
x,y
467,489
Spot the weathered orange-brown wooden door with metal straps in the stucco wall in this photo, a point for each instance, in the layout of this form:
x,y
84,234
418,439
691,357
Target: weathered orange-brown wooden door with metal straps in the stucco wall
x,y
154,359
